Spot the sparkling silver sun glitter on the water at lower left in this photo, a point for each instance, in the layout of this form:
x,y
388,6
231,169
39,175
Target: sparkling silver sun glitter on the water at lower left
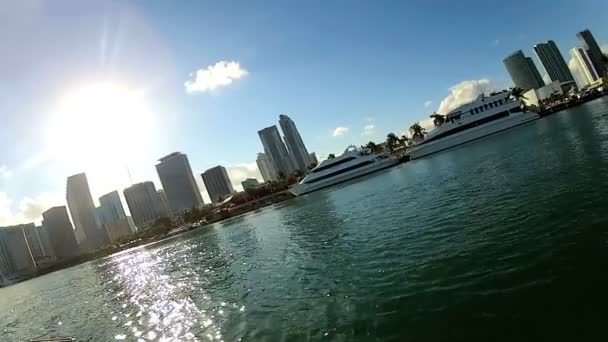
x,y
153,306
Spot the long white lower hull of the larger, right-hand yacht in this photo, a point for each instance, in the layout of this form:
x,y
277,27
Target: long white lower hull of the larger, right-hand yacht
x,y
471,134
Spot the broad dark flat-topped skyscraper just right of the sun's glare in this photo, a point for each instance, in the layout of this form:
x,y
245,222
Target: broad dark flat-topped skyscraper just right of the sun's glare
x,y
178,182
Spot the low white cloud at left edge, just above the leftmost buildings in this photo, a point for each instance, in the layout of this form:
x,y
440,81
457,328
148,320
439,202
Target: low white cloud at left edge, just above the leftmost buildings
x,y
28,209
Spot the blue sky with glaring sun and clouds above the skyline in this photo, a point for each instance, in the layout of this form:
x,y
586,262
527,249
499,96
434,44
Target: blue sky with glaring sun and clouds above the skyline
x,y
109,87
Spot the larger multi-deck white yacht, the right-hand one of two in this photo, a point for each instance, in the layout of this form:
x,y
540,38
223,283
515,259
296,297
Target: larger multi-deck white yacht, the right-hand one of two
x,y
484,116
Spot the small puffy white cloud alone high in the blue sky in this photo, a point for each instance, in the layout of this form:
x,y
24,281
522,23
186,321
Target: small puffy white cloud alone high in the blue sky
x,y
214,76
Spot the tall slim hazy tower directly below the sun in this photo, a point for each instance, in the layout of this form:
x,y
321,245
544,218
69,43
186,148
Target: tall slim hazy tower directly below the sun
x,y
83,213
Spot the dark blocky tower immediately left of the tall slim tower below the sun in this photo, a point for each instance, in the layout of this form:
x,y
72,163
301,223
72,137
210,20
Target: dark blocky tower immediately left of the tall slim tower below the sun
x,y
61,233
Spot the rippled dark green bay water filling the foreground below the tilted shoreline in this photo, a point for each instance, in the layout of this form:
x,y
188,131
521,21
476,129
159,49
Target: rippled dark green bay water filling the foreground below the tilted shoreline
x,y
503,239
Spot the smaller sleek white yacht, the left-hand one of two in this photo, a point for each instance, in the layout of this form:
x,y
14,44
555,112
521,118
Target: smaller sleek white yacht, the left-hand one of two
x,y
351,164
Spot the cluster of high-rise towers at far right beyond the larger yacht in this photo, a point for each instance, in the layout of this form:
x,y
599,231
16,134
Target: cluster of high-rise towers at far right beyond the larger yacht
x,y
588,59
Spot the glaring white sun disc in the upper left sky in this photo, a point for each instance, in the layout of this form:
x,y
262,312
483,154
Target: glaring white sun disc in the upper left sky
x,y
100,121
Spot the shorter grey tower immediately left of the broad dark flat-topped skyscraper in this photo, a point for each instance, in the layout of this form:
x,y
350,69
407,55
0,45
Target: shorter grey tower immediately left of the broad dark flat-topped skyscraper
x,y
144,204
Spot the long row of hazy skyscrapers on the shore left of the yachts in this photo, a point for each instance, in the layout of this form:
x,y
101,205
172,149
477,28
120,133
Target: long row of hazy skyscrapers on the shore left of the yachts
x,y
81,227
